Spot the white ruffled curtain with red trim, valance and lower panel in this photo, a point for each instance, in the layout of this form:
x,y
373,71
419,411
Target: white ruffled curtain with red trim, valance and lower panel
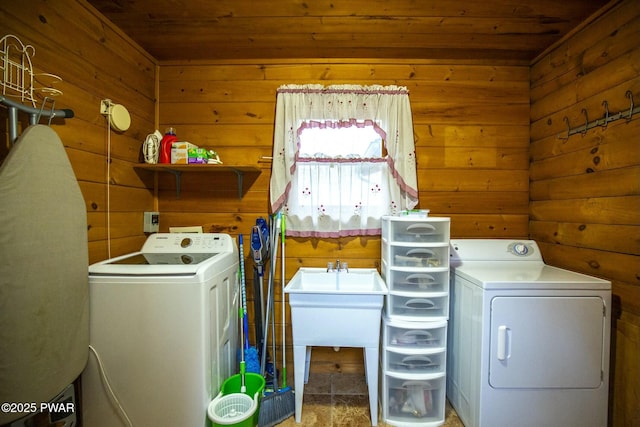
x,y
338,197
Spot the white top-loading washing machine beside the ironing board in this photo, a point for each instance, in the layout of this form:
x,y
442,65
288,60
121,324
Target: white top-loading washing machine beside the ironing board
x,y
163,325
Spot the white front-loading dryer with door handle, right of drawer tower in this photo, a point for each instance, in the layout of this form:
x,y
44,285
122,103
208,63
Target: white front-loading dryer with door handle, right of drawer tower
x,y
529,343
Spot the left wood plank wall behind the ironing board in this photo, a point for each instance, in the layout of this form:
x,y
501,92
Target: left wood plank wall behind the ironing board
x,y
95,61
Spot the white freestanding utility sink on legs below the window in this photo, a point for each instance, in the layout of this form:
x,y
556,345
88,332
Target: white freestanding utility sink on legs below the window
x,y
336,309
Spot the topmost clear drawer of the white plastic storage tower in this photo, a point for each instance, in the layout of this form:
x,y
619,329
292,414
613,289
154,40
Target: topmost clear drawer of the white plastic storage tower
x,y
416,231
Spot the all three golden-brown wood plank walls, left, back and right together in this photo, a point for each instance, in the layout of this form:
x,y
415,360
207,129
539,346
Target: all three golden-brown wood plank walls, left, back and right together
x,y
472,132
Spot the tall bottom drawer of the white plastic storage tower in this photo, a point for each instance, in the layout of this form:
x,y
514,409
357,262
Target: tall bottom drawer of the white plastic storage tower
x,y
413,399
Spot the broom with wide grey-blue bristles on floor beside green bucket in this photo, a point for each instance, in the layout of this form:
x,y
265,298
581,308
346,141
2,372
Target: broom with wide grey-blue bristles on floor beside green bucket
x,y
279,405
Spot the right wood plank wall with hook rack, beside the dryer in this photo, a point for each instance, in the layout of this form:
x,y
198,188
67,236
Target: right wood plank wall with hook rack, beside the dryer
x,y
585,190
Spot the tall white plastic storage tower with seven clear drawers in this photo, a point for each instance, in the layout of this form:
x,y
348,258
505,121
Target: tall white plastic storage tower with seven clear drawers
x,y
415,266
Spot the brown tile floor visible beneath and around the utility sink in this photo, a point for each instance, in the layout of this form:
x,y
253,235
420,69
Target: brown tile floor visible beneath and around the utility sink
x,y
342,400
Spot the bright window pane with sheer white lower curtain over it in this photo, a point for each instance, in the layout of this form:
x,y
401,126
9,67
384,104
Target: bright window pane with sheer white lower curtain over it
x,y
341,178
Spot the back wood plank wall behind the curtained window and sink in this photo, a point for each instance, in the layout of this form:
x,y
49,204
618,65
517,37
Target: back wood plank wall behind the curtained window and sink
x,y
471,123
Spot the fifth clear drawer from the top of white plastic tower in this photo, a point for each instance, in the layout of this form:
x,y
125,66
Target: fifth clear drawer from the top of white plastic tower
x,y
424,336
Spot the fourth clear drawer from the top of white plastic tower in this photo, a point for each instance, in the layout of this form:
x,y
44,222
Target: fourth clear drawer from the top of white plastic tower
x,y
414,306
